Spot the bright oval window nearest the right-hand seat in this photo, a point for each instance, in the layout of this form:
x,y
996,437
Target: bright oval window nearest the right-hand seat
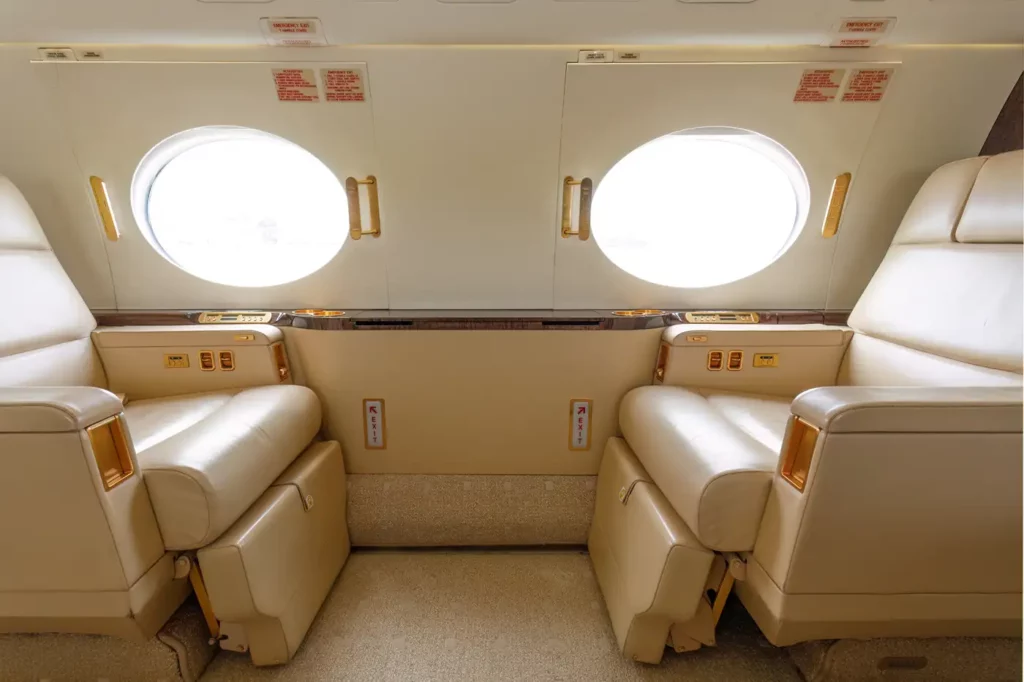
x,y
701,207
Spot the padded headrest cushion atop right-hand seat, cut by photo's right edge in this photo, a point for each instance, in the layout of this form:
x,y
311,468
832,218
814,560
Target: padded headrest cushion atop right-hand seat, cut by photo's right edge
x,y
995,211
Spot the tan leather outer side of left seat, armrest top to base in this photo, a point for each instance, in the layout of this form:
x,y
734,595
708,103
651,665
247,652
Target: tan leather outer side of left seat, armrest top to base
x,y
75,553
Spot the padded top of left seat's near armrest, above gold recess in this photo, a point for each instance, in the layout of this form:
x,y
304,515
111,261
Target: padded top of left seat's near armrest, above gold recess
x,y
55,409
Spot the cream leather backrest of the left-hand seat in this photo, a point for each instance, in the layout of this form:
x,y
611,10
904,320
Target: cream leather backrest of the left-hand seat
x,y
45,337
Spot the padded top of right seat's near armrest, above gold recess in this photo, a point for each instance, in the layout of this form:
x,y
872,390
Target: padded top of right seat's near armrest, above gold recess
x,y
908,410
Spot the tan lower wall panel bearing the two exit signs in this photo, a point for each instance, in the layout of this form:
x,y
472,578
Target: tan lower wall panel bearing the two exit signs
x,y
473,402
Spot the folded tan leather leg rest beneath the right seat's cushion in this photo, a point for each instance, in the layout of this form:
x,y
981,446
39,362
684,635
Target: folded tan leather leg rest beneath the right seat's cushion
x,y
652,570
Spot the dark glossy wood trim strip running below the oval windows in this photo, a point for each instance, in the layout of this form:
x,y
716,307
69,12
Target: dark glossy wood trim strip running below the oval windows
x,y
466,320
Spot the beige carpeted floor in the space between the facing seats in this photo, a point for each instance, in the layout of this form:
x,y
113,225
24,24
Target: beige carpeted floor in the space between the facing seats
x,y
537,616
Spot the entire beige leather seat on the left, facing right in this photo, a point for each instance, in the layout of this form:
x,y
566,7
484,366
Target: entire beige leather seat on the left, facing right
x,y
228,461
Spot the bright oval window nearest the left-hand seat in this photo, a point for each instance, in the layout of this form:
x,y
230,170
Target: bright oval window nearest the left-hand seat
x,y
240,207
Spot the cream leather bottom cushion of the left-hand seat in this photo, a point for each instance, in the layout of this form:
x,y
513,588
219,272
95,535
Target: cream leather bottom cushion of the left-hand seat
x,y
207,458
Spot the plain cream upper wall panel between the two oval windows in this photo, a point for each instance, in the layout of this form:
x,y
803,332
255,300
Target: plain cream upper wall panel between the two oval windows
x,y
470,154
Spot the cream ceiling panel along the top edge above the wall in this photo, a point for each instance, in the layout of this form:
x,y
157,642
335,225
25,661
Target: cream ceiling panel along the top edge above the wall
x,y
521,22
